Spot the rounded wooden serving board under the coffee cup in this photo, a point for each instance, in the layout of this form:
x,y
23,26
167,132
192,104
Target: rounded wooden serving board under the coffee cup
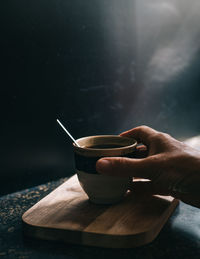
x,y
67,215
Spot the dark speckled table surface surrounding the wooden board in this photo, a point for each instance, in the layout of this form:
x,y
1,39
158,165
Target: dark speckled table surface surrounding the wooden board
x,y
180,237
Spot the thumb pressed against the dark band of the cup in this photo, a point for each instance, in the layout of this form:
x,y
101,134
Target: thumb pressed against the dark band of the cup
x,y
123,167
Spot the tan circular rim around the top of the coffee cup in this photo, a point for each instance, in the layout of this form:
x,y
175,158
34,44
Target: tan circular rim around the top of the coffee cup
x,y
134,144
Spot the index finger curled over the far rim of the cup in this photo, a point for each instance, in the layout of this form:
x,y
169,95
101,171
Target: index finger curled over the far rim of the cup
x,y
142,134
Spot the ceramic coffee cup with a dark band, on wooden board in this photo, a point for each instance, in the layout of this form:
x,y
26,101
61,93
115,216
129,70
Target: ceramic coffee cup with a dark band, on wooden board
x,y
102,189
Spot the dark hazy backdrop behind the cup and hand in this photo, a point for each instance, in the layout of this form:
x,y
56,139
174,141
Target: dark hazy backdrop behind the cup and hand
x,y
90,64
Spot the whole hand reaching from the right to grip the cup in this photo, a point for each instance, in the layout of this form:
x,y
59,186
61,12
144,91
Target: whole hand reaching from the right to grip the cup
x,y
172,167
